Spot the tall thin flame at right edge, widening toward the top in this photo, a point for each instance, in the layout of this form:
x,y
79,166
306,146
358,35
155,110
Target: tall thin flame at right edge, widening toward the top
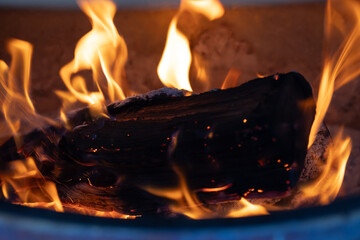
x,y
340,66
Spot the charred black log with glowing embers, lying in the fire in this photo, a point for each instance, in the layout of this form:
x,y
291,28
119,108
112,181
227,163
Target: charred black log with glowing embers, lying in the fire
x,y
245,141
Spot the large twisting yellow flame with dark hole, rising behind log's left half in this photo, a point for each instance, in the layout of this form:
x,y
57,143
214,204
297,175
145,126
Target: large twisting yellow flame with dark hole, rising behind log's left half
x,y
104,52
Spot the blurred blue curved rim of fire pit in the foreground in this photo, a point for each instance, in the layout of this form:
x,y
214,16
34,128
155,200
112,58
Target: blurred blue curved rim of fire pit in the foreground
x,y
339,220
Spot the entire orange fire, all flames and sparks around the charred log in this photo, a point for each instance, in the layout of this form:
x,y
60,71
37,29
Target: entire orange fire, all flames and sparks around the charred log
x,y
103,51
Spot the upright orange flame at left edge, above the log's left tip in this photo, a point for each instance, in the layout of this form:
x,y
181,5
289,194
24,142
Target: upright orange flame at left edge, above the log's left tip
x,y
17,107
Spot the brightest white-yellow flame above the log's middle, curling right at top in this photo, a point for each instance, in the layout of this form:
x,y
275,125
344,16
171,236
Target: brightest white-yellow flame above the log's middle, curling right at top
x,y
174,66
